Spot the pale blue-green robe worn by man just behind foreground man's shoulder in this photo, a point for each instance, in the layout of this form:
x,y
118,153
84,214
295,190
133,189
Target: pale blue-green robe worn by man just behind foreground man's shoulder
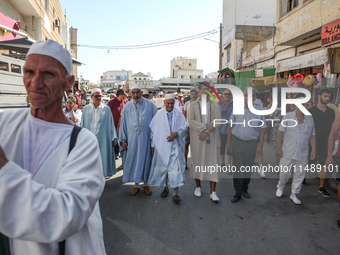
x,y
105,134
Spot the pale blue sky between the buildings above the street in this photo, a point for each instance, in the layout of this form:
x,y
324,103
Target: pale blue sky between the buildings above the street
x,y
131,22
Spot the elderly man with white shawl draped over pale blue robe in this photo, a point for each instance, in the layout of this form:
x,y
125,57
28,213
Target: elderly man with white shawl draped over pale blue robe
x,y
168,162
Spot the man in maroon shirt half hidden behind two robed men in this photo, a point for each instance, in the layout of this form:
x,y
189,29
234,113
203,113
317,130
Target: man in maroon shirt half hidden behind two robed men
x,y
116,105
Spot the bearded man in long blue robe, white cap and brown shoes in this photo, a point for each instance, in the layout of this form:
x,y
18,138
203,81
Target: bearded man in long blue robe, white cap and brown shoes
x,y
134,136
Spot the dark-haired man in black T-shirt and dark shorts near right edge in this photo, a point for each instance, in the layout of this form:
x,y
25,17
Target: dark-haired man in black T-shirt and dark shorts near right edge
x,y
323,119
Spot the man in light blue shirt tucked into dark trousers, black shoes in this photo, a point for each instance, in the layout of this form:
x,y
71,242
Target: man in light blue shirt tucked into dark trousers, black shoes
x,y
243,134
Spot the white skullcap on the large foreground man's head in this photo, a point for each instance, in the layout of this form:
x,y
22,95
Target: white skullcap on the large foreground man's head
x,y
54,50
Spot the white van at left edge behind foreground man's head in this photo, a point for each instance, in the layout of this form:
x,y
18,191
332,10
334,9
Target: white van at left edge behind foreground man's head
x,y
12,89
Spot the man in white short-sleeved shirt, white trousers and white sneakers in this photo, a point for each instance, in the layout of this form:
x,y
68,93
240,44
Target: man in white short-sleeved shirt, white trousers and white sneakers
x,y
294,153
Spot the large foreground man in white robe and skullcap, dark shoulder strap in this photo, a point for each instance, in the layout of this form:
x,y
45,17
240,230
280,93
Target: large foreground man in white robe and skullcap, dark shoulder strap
x,y
51,178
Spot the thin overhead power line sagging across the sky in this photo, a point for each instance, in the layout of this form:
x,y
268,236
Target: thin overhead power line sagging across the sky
x,y
151,45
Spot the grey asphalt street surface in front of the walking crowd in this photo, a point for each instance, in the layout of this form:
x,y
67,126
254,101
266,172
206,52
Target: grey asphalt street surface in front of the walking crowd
x,y
262,224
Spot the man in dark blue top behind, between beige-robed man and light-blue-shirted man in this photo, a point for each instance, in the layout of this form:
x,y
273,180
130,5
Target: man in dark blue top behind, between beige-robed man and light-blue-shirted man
x,y
226,110
